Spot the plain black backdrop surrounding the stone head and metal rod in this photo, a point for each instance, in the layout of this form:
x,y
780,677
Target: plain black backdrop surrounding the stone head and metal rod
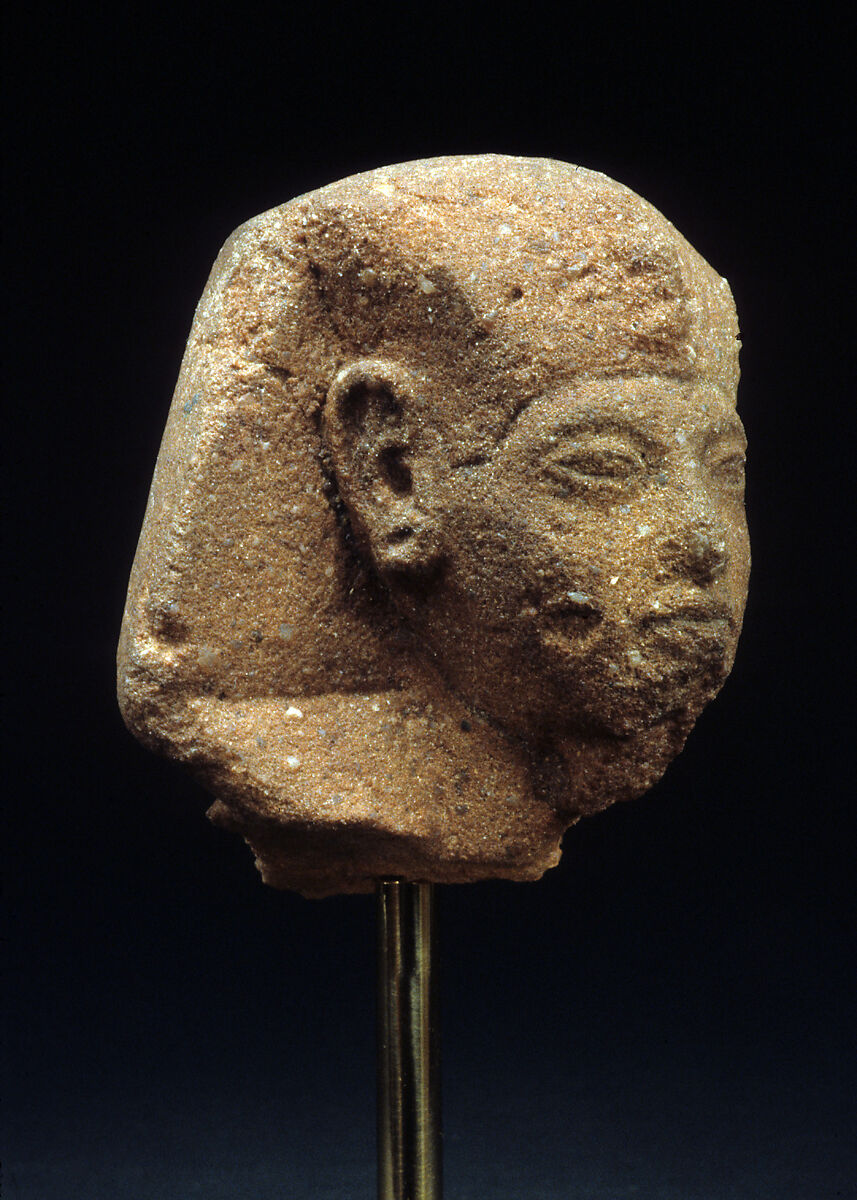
x,y
672,1012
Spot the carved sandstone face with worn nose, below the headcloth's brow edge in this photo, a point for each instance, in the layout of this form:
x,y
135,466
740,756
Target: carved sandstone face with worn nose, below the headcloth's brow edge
x,y
591,574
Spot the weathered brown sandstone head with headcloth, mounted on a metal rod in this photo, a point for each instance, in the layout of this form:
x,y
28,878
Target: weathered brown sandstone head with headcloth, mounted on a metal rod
x,y
446,545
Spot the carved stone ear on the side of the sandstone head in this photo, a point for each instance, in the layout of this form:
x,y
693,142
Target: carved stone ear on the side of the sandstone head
x,y
379,458
